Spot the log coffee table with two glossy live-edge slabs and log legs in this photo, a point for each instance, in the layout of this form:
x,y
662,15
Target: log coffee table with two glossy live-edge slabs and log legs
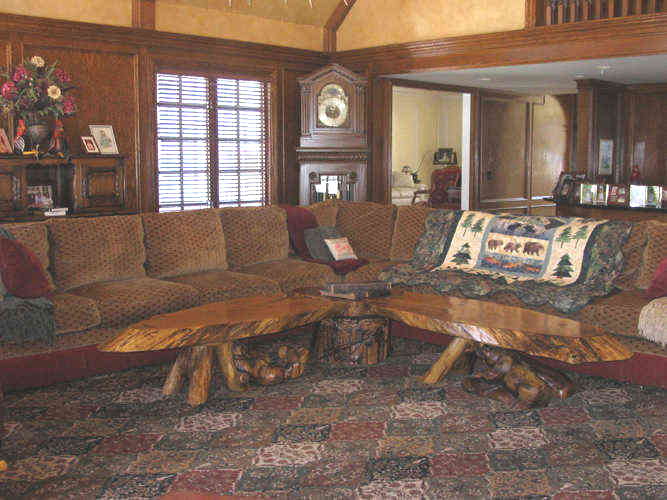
x,y
212,328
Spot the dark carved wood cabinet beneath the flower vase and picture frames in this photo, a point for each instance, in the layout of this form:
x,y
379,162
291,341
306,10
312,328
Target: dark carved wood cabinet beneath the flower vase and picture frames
x,y
86,185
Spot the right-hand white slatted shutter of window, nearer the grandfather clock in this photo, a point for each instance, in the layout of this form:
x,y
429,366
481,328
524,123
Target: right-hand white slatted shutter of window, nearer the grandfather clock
x,y
242,142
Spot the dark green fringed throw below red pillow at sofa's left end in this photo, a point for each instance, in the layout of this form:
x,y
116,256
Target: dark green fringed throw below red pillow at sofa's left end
x,y
25,320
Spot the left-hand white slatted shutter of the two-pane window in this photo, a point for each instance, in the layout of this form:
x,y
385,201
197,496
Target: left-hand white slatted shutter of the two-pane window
x,y
182,142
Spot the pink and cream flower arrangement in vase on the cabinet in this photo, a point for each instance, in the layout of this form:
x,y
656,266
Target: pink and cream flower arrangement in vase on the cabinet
x,y
35,91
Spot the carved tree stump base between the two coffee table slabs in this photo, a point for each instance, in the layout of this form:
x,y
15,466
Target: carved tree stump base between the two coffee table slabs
x,y
353,340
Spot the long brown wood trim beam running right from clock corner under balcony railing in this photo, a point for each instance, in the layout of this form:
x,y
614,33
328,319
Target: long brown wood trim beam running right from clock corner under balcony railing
x,y
618,37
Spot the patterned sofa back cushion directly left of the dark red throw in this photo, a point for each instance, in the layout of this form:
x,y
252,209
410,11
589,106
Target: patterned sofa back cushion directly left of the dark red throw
x,y
254,235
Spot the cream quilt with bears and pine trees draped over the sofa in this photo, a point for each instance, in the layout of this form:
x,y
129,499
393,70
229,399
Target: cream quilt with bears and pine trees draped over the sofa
x,y
549,249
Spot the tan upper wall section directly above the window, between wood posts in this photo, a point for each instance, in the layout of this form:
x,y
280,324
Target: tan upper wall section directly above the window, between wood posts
x,y
203,21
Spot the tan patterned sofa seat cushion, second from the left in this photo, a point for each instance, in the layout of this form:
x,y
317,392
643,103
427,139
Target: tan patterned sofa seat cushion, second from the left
x,y
124,302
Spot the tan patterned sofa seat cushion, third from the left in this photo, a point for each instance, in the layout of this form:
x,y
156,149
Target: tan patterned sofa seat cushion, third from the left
x,y
215,286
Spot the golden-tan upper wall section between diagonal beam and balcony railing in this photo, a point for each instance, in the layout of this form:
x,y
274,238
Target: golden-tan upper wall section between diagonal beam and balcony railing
x,y
371,23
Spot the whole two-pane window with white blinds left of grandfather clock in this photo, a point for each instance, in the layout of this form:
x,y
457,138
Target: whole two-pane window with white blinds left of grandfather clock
x,y
212,142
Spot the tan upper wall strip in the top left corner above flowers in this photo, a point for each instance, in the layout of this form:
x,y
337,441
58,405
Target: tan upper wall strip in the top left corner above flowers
x,y
115,12
